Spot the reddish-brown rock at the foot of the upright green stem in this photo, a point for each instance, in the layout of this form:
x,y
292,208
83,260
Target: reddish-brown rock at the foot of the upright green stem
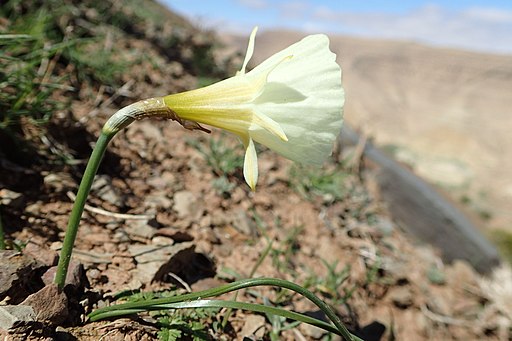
x,y
49,304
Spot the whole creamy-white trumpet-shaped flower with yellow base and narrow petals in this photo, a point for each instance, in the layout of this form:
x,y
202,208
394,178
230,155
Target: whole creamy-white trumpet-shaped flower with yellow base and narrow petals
x,y
291,103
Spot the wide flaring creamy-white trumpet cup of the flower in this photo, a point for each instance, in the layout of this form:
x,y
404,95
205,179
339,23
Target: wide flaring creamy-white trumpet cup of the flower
x,y
305,97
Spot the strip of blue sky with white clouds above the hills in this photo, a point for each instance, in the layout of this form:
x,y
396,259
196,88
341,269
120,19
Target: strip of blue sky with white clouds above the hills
x,y
483,25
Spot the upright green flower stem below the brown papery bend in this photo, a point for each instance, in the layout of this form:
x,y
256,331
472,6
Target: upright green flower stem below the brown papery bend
x,y
78,207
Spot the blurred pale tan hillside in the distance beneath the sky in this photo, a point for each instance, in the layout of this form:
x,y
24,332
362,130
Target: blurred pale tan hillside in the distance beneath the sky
x,y
446,113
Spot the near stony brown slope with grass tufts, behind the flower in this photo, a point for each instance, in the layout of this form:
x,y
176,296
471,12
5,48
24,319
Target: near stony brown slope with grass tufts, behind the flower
x,y
169,211
